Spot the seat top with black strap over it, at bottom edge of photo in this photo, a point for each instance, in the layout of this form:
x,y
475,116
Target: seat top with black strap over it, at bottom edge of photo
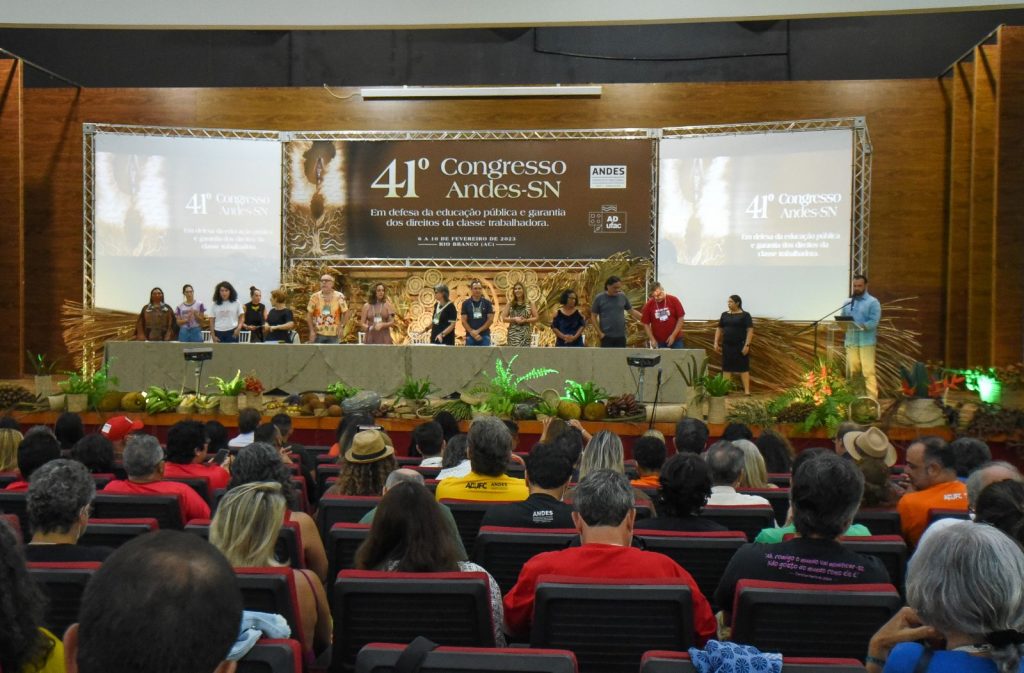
x,y
381,658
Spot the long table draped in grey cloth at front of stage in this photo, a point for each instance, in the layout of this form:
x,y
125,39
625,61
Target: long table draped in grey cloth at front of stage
x,y
297,368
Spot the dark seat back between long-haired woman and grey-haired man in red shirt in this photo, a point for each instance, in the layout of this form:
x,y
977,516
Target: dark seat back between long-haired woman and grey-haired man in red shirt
x,y
504,551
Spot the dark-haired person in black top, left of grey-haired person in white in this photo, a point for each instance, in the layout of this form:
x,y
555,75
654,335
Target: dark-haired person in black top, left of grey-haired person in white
x,y
685,490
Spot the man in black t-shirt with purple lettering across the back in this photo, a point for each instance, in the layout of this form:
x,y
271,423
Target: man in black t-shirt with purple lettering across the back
x,y
826,495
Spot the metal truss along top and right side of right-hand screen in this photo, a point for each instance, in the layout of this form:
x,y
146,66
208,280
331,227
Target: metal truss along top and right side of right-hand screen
x,y
862,198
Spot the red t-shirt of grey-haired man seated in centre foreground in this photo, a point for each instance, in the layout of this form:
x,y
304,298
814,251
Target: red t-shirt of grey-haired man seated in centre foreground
x,y
606,562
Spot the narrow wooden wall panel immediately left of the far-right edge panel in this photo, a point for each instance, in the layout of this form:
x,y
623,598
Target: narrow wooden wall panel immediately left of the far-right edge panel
x,y
983,207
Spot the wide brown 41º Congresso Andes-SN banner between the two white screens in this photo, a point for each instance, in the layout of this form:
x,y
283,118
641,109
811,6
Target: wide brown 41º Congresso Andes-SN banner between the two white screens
x,y
566,199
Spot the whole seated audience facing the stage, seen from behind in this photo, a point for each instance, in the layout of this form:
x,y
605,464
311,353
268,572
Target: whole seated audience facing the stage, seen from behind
x,y
965,584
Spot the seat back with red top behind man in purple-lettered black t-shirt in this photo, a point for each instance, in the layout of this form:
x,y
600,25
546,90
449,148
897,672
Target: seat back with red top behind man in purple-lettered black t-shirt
x,y
812,620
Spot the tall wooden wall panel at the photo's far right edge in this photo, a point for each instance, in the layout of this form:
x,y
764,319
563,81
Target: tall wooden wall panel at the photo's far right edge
x,y
1008,329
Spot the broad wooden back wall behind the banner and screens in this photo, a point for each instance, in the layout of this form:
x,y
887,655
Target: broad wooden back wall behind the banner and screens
x,y
907,120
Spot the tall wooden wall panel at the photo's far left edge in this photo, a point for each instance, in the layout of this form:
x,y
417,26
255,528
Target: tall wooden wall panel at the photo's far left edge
x,y
12,219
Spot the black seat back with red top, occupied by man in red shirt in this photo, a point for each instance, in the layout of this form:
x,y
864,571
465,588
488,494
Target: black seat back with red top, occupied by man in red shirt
x,y
611,623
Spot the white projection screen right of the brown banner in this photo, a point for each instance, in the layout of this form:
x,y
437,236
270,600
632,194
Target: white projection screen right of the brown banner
x,y
766,217
